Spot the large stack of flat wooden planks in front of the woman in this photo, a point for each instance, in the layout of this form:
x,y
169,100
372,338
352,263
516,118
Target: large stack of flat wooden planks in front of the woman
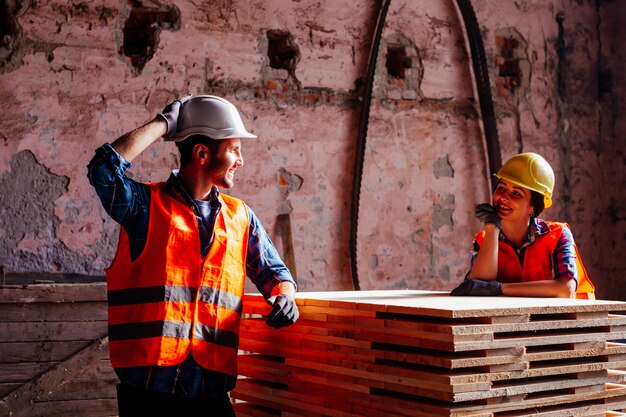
x,y
426,354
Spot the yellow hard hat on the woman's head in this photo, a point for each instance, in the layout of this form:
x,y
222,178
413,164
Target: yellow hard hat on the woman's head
x,y
530,170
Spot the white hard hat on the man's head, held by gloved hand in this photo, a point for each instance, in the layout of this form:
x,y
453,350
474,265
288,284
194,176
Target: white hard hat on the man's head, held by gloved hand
x,y
210,116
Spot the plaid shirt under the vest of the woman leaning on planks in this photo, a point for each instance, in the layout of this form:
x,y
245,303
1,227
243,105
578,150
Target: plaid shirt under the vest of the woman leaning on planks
x,y
563,258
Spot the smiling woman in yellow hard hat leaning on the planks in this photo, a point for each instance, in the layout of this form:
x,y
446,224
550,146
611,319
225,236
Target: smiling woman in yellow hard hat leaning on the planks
x,y
518,254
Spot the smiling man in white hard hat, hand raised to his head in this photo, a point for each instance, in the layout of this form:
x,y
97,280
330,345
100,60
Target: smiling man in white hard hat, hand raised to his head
x,y
175,286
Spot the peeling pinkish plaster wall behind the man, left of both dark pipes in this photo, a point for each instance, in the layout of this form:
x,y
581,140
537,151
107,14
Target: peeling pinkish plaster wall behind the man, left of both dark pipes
x,y
67,87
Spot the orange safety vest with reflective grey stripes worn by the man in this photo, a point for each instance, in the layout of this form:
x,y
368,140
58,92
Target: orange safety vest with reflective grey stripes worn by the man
x,y
169,302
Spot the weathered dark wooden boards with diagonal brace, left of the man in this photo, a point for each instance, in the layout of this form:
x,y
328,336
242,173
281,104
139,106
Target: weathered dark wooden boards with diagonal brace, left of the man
x,y
54,351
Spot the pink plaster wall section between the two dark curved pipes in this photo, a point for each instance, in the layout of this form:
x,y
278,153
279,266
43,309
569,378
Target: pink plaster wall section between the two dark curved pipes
x,y
423,152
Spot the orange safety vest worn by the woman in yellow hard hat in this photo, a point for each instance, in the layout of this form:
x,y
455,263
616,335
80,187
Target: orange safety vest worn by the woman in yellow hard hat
x,y
538,264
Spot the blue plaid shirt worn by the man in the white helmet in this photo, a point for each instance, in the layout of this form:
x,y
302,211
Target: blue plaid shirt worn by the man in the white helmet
x,y
128,202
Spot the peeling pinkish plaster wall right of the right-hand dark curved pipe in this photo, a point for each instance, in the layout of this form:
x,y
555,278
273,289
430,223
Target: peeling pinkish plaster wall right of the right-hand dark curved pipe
x,y
564,116
